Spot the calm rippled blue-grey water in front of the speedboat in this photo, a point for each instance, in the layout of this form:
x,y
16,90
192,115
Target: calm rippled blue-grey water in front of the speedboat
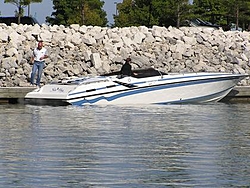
x,y
124,146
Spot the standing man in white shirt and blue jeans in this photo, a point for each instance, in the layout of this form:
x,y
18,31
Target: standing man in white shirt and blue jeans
x,y
38,60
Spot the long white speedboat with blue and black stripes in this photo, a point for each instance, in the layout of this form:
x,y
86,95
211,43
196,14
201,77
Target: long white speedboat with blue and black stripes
x,y
147,86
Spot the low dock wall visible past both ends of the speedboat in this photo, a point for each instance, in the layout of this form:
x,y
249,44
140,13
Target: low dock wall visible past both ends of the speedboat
x,y
14,95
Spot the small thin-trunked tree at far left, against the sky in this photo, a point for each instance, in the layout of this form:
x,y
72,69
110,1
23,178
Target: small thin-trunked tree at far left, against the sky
x,y
21,4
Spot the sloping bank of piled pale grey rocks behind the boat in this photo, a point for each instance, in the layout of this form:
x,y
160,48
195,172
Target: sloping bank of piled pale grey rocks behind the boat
x,y
81,50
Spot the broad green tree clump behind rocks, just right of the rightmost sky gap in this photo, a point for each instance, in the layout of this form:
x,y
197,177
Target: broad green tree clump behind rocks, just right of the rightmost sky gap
x,y
151,12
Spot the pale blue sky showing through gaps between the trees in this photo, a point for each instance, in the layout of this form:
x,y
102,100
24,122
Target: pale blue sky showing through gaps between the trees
x,y
41,10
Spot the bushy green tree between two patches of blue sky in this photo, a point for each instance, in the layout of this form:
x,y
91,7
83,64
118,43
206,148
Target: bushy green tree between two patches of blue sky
x,y
83,12
